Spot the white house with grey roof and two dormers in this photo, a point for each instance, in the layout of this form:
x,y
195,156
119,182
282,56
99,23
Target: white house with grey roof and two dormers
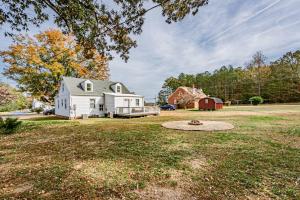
x,y
85,97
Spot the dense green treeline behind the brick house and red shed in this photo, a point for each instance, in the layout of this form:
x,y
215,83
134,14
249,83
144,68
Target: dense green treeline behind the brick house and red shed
x,y
276,82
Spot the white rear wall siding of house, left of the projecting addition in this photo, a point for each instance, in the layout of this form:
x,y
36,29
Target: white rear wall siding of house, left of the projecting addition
x,y
82,105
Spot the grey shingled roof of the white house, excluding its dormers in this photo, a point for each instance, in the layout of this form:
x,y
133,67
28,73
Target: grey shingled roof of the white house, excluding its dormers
x,y
99,87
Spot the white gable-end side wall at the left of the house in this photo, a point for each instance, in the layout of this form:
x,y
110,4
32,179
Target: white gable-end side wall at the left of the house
x,y
63,96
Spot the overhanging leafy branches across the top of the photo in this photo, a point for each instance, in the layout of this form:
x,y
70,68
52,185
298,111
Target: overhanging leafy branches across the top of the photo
x,y
106,27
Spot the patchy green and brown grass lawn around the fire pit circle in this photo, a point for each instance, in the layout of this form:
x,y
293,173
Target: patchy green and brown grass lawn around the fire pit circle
x,y
138,159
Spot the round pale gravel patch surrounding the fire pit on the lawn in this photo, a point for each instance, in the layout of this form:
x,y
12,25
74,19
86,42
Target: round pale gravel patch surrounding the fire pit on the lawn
x,y
206,126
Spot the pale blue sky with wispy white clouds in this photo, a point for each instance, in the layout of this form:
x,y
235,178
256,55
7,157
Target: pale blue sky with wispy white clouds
x,y
226,32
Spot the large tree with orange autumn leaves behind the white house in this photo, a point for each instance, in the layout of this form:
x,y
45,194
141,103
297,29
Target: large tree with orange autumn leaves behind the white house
x,y
38,63
